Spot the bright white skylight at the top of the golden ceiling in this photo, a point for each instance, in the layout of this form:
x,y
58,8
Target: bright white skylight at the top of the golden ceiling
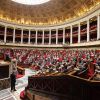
x,y
31,2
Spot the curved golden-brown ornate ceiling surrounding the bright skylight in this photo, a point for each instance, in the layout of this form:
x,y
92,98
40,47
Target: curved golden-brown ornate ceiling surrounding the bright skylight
x,y
52,12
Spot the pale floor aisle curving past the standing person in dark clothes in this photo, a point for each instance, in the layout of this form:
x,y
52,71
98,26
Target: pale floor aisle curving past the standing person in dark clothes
x,y
20,86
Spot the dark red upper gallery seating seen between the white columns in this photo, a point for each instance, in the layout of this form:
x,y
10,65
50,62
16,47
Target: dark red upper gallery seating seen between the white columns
x,y
83,35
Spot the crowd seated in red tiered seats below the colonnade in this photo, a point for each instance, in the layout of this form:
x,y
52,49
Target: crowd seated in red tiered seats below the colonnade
x,y
47,62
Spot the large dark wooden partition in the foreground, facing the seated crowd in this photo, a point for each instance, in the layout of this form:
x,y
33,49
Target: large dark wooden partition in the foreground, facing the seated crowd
x,y
65,87
